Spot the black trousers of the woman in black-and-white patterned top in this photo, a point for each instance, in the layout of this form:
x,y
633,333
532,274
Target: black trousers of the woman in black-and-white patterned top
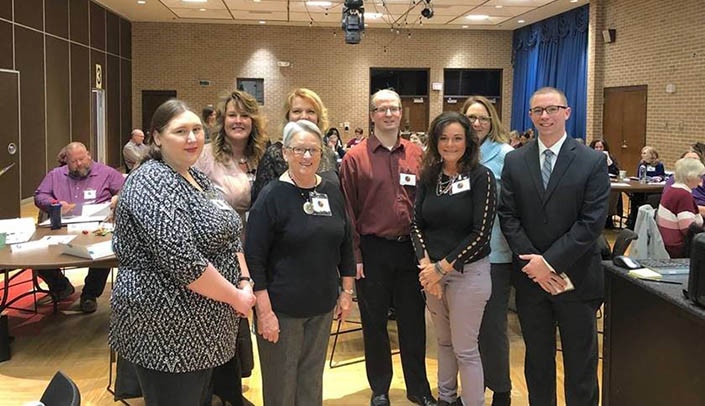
x,y
173,389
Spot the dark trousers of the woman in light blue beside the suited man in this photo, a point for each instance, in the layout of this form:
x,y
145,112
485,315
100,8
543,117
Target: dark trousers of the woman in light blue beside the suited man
x,y
494,344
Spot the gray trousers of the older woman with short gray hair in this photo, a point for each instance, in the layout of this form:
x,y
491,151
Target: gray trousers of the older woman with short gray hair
x,y
292,368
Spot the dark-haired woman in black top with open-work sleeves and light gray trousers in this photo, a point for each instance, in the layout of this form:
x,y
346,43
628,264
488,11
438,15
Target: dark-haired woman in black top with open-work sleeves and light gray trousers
x,y
453,217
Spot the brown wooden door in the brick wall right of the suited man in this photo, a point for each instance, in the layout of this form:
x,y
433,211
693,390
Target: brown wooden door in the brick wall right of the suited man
x,y
624,124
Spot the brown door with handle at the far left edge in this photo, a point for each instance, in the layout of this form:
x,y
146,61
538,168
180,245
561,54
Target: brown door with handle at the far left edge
x,y
9,144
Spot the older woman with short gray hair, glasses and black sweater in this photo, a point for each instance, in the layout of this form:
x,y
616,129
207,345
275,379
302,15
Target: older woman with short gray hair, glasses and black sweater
x,y
299,251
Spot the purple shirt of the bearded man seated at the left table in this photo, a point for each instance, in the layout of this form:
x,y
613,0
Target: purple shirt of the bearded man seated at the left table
x,y
98,187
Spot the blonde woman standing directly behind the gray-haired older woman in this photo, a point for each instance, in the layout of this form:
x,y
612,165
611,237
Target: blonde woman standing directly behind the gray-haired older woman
x,y
301,104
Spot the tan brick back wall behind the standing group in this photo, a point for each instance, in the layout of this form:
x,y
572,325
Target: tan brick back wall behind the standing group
x,y
175,56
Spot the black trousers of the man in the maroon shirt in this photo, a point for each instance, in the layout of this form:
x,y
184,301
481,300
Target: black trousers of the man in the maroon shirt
x,y
392,279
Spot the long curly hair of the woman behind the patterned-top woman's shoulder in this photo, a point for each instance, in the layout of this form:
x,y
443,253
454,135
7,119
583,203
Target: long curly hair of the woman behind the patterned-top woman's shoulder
x,y
256,142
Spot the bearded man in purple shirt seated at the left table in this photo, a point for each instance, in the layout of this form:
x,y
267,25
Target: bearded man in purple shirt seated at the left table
x,y
81,181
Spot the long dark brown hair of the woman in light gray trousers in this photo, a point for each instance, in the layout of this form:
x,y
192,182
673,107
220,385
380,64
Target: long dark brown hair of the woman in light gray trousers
x,y
432,163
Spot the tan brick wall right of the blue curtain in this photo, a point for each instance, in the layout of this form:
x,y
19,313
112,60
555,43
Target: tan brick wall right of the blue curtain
x,y
657,43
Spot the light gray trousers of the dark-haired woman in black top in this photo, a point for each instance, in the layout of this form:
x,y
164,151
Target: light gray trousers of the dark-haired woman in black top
x,y
457,317
